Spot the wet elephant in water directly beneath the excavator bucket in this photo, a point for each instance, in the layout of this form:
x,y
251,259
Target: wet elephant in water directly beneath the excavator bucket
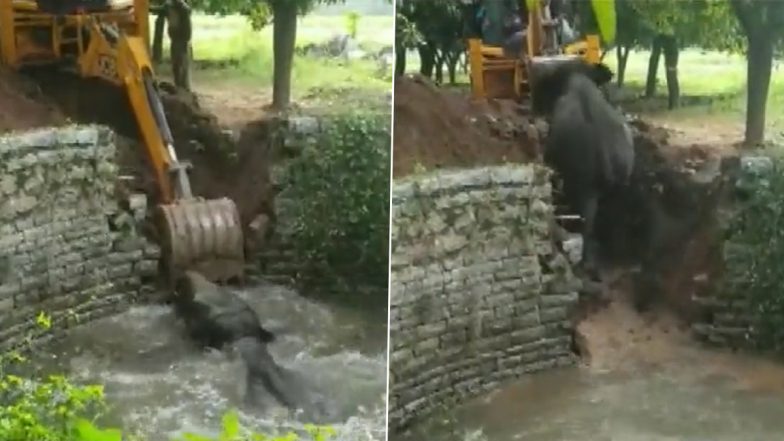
x,y
215,316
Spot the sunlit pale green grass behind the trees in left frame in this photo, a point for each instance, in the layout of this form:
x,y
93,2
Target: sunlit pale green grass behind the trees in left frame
x,y
245,56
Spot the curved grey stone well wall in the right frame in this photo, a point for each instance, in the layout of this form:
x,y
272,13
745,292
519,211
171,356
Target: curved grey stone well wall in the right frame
x,y
480,293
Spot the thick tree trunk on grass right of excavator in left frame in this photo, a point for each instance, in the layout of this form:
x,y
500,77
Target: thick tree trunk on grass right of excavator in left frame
x,y
284,37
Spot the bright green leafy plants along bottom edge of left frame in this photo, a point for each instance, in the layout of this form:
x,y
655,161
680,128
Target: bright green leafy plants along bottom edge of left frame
x,y
54,409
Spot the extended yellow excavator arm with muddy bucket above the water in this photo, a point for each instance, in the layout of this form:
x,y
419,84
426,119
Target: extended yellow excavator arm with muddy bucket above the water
x,y
196,233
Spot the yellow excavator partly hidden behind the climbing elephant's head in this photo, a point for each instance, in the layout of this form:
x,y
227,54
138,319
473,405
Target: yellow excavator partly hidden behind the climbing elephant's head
x,y
495,74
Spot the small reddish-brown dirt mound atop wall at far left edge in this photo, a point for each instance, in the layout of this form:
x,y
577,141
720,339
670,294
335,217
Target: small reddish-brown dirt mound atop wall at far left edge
x,y
23,105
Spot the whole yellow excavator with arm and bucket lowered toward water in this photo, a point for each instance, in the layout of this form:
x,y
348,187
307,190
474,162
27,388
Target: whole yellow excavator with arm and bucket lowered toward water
x,y
109,40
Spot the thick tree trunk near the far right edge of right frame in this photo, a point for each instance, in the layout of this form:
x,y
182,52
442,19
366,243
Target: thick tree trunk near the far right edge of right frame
x,y
759,66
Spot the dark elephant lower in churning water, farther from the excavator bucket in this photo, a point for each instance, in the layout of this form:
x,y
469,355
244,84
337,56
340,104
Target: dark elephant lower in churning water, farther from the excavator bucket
x,y
267,382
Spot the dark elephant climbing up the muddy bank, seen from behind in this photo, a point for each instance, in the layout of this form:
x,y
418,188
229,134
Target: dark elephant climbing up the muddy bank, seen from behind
x,y
589,145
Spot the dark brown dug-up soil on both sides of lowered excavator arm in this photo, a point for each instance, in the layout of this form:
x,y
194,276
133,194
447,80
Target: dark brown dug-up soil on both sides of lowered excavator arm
x,y
222,166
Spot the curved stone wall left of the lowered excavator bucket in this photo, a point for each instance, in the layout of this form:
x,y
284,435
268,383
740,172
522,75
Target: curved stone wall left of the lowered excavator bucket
x,y
66,247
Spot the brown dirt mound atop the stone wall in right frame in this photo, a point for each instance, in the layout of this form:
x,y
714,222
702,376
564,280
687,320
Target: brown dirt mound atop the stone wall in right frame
x,y
437,128
